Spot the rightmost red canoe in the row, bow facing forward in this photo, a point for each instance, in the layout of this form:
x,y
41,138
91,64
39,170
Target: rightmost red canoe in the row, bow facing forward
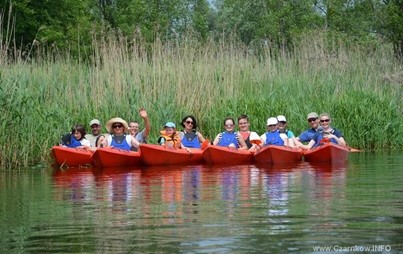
x,y
328,152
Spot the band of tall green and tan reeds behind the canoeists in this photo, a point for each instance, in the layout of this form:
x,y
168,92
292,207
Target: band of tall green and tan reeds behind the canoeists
x,y
44,98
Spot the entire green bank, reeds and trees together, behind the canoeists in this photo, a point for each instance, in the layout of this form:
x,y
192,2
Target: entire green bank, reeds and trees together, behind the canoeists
x,y
83,61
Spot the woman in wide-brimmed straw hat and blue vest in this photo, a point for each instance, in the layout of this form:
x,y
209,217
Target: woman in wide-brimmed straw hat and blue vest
x,y
117,128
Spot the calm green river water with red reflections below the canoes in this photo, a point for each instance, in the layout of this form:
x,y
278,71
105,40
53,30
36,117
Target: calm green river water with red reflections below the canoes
x,y
303,208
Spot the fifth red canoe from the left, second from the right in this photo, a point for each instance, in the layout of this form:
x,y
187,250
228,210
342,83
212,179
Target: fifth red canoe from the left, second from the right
x,y
278,155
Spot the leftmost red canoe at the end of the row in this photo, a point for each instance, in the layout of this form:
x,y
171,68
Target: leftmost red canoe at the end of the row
x,y
71,157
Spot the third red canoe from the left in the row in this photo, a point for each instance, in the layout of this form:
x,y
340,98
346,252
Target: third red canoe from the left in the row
x,y
154,155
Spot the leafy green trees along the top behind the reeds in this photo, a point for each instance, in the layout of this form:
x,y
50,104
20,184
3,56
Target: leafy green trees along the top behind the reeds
x,y
69,24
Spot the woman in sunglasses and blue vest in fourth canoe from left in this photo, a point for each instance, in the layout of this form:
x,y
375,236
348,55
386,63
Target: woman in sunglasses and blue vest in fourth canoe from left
x,y
230,138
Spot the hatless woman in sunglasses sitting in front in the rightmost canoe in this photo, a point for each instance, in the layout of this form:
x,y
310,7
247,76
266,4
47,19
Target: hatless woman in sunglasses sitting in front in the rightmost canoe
x,y
326,134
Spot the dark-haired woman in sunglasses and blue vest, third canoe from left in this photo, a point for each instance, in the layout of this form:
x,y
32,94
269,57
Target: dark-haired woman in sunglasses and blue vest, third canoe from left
x,y
189,136
